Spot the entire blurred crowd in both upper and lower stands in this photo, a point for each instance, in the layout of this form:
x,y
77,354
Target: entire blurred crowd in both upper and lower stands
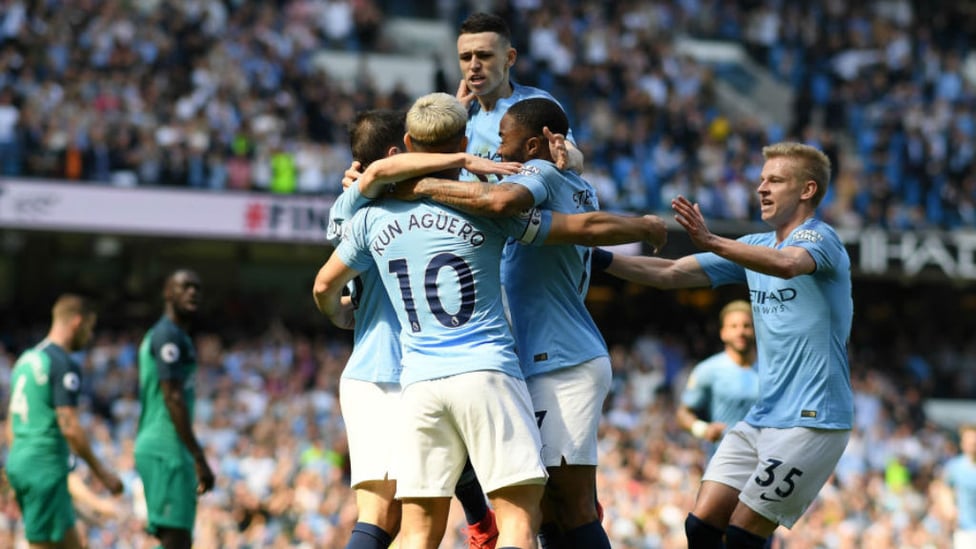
x,y
223,95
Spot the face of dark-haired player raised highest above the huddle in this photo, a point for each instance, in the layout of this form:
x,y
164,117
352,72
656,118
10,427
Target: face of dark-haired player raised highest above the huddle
x,y
484,59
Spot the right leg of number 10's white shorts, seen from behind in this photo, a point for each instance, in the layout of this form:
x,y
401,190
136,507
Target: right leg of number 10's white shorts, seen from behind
x,y
494,416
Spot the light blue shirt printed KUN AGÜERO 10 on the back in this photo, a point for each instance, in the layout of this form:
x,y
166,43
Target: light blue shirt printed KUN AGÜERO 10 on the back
x,y
440,268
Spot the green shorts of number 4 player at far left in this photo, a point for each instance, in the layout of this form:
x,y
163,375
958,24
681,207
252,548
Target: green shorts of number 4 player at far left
x,y
44,500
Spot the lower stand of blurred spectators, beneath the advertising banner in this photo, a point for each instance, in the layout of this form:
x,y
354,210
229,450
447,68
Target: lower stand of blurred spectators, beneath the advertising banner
x,y
268,415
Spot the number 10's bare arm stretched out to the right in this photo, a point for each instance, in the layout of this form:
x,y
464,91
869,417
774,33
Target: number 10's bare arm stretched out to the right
x,y
606,229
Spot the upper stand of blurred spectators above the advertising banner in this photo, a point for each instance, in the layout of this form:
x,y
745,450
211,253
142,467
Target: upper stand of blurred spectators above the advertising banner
x,y
225,95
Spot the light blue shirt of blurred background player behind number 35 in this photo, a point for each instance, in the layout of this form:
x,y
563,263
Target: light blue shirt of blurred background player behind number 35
x,y
723,388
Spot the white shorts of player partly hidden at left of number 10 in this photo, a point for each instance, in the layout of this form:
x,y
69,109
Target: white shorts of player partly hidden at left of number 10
x,y
370,412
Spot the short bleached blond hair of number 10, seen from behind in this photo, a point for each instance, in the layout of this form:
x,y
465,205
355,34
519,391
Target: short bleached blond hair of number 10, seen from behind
x,y
436,120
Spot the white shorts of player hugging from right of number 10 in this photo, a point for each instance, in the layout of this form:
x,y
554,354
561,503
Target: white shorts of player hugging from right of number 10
x,y
568,405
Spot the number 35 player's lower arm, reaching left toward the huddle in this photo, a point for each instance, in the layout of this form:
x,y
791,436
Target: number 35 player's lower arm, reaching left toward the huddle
x,y
665,274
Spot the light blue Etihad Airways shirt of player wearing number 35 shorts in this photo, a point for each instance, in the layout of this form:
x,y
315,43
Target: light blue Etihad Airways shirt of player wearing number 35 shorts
x,y
802,328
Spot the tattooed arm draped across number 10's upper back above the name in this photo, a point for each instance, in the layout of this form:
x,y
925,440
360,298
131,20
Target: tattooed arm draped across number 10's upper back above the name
x,y
477,198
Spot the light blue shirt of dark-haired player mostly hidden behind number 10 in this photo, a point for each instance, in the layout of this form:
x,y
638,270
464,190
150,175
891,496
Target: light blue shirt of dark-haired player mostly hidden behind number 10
x,y
376,337
